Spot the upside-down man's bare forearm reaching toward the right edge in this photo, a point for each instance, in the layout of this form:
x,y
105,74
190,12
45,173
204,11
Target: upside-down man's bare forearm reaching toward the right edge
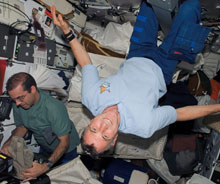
x,y
197,111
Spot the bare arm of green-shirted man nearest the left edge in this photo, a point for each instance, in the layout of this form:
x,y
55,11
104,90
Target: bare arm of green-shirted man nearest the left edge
x,y
18,131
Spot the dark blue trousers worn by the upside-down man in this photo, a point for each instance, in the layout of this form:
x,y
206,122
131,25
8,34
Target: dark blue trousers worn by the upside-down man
x,y
144,37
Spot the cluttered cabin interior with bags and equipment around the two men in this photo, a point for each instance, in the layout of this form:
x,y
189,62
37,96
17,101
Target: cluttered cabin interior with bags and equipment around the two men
x,y
179,153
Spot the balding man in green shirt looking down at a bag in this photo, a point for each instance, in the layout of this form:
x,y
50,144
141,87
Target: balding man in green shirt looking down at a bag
x,y
48,120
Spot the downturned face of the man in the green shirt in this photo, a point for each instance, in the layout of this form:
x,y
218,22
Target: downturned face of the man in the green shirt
x,y
24,98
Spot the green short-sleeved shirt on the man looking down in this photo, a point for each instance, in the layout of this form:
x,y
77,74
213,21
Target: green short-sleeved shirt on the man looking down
x,y
47,114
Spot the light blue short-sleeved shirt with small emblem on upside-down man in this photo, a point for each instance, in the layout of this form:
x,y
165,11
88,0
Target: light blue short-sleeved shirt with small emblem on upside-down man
x,y
135,88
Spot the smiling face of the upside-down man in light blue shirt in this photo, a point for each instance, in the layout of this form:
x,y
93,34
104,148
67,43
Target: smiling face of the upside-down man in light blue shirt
x,y
102,131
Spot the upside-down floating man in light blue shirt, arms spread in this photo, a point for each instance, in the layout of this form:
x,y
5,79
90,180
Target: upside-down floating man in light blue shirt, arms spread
x,y
127,101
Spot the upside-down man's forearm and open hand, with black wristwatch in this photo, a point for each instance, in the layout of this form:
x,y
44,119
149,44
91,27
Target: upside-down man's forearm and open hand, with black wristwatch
x,y
79,52
